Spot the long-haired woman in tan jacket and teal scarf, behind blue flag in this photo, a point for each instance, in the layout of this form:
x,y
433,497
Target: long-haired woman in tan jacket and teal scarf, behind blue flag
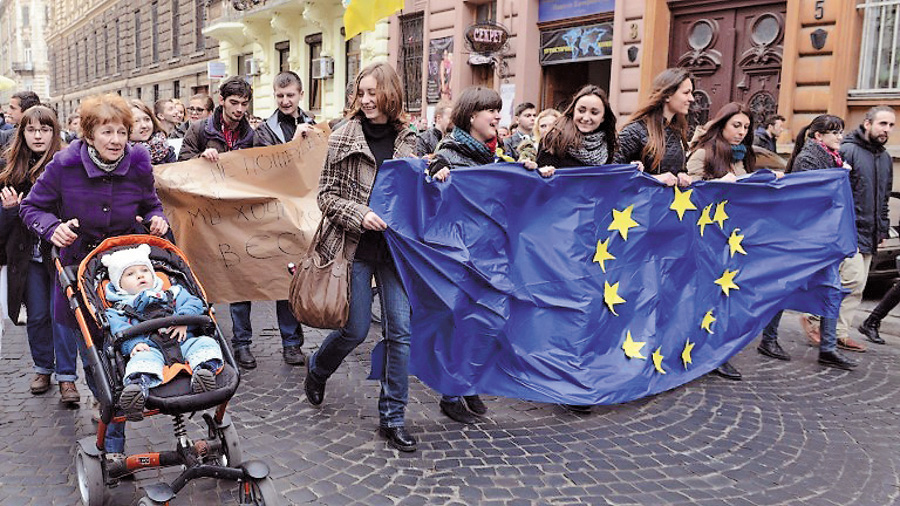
x,y
723,148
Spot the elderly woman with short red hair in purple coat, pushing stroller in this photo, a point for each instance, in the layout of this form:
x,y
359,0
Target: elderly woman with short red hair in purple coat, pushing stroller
x,y
96,188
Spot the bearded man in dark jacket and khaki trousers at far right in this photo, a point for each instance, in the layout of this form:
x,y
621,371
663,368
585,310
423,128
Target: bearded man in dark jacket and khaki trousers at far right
x,y
871,179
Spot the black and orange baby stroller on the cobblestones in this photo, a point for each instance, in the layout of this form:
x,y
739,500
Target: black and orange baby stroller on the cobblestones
x,y
218,453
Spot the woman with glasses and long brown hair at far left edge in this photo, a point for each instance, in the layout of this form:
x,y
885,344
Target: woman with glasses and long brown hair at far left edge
x,y
30,271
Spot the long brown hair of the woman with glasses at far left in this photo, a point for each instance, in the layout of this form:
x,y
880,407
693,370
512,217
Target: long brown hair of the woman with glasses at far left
x,y
19,168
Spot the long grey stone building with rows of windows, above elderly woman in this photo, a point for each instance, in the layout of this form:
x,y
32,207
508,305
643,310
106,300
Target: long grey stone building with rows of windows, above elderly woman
x,y
145,49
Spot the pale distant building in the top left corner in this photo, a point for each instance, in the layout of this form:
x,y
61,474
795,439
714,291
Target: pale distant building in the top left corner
x,y
23,49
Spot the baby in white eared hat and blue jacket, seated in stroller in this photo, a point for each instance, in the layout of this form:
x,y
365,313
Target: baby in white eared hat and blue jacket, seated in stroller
x,y
135,293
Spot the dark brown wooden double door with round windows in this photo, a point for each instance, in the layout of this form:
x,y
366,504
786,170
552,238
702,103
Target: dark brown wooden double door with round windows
x,y
735,54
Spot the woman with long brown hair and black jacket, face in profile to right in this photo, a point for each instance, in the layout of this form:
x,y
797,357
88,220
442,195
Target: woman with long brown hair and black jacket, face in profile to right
x,y
656,135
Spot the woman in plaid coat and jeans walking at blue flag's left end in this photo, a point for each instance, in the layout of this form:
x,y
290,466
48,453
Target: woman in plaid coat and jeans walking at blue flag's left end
x,y
377,129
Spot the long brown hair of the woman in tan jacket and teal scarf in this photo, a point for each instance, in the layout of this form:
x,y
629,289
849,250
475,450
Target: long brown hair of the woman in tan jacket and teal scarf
x,y
718,150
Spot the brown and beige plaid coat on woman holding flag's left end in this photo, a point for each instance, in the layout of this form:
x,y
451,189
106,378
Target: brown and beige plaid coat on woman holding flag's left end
x,y
346,184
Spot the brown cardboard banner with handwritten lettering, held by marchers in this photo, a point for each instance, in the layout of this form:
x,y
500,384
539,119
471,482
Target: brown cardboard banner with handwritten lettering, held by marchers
x,y
241,220
